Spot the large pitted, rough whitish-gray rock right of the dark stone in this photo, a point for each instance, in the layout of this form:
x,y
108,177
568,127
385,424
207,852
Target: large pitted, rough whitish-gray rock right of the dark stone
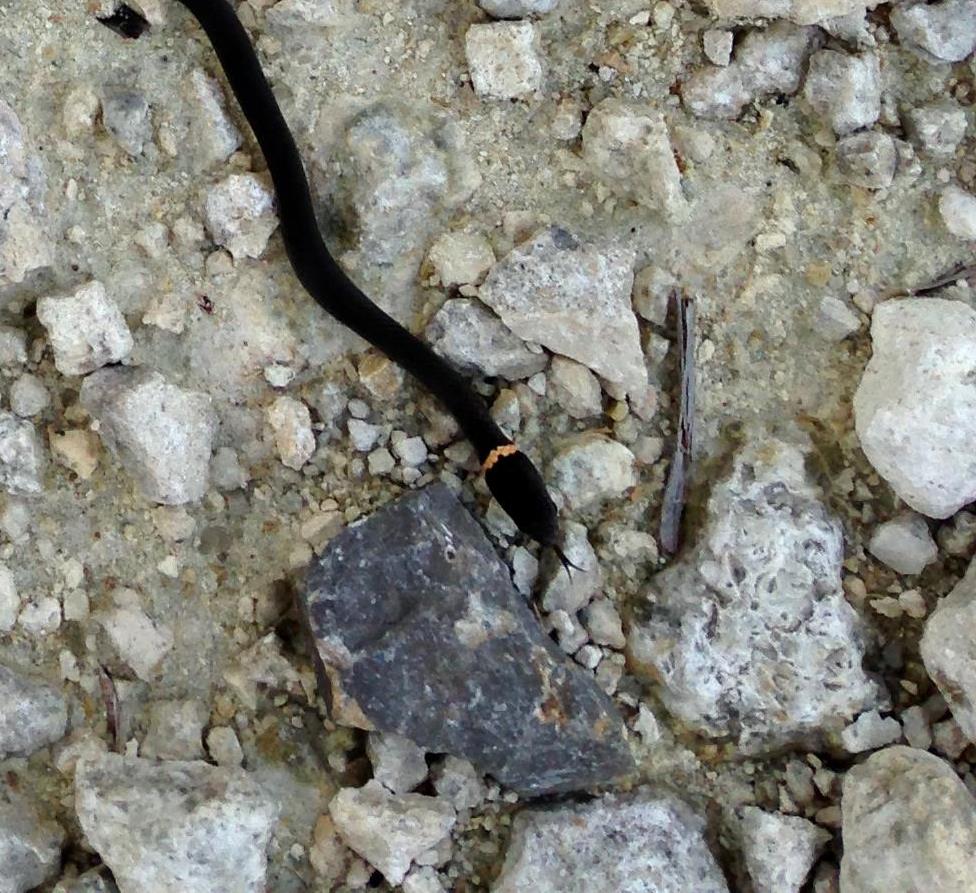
x,y
751,635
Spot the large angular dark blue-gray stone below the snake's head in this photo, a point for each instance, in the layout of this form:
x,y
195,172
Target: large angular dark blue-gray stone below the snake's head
x,y
418,630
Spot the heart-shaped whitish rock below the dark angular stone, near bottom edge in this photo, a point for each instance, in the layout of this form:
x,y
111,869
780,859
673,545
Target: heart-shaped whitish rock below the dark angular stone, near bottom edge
x,y
387,830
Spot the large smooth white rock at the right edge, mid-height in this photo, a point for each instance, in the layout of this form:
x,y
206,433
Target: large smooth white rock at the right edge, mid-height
x,y
915,407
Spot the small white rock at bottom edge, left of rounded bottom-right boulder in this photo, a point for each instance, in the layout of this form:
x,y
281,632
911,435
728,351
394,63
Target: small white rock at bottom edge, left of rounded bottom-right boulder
x,y
779,849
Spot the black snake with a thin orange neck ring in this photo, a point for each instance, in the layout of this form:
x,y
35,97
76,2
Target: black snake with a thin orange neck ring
x,y
510,475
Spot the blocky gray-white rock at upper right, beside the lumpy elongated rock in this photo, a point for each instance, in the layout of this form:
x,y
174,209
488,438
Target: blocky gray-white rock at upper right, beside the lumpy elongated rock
x,y
843,89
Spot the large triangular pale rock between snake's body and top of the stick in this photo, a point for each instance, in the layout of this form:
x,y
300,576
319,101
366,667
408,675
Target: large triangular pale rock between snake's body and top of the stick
x,y
574,298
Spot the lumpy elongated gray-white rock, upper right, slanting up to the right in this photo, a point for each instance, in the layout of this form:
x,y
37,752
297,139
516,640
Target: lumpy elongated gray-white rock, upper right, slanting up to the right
x,y
767,62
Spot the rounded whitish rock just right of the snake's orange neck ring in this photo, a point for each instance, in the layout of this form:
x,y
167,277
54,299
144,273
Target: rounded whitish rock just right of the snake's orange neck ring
x,y
592,469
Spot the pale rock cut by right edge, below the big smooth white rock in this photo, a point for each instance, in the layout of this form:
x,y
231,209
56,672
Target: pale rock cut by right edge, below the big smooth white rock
x,y
949,651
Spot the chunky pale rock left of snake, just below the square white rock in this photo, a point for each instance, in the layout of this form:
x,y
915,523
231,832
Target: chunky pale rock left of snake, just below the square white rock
x,y
160,433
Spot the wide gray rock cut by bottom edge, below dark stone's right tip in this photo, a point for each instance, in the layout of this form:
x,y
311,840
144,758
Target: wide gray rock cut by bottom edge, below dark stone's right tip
x,y
641,844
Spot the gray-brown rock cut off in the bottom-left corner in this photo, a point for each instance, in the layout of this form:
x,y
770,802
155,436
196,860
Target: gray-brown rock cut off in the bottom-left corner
x,y
30,845
